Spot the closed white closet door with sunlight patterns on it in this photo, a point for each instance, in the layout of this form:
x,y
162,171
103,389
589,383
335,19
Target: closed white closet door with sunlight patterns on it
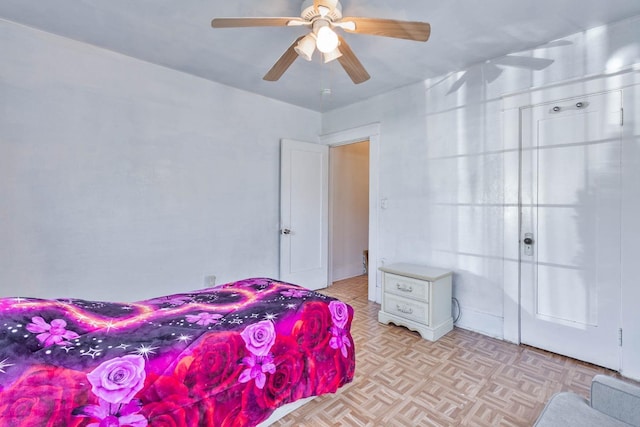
x,y
570,227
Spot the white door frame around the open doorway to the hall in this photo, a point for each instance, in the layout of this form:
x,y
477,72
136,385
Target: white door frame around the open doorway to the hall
x,y
370,132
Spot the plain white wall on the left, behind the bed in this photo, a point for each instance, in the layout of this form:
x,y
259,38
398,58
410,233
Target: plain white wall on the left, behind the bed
x,y
123,180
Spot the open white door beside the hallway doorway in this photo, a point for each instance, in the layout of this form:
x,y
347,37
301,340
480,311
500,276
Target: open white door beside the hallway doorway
x,y
304,196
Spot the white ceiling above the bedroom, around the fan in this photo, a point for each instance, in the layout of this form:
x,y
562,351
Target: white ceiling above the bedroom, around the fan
x,y
177,34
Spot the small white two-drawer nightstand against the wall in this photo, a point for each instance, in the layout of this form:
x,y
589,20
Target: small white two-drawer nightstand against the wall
x,y
417,297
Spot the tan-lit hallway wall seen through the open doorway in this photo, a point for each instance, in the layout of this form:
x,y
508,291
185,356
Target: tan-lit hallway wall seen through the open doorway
x,y
349,208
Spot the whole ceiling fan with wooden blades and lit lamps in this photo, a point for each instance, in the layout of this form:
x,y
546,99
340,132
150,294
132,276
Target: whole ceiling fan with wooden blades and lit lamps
x,y
323,17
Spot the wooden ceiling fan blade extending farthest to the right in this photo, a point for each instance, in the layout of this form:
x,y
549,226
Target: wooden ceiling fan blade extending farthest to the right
x,y
410,30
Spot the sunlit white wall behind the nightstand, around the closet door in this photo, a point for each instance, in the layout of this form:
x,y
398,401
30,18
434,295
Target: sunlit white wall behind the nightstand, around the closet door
x,y
446,170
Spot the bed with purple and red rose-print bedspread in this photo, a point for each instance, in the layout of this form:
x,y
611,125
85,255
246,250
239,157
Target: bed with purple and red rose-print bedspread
x,y
222,356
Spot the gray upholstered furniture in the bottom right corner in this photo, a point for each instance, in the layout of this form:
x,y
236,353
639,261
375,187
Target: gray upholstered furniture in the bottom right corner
x,y
613,403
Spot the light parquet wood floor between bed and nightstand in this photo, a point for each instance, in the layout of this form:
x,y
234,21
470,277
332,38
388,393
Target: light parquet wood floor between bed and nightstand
x,y
463,379
